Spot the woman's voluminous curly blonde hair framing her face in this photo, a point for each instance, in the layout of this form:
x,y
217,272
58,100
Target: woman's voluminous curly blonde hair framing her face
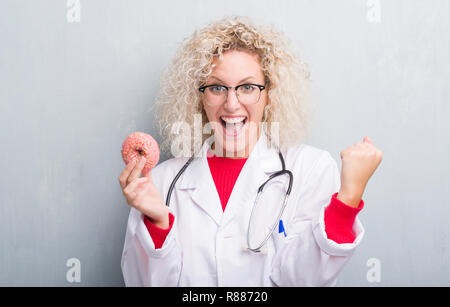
x,y
286,81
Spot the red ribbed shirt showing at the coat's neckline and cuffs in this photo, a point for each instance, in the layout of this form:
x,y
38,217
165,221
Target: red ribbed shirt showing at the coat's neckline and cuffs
x,y
339,217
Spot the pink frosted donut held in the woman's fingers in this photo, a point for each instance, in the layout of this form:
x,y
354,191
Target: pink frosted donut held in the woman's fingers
x,y
139,144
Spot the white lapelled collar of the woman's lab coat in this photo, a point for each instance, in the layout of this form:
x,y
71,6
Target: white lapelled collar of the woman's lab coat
x,y
262,161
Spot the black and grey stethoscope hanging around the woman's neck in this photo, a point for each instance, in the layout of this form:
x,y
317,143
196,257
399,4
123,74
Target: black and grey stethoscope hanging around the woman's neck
x,y
283,171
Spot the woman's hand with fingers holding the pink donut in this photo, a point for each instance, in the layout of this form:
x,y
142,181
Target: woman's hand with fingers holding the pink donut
x,y
142,194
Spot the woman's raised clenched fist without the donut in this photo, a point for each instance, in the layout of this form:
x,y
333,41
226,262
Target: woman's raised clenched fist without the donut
x,y
359,162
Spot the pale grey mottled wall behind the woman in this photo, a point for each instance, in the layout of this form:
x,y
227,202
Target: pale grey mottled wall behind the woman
x,y
76,77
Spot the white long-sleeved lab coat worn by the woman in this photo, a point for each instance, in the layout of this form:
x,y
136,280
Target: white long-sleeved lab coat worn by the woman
x,y
205,246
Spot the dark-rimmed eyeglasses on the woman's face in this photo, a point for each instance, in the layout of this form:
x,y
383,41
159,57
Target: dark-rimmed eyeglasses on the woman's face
x,y
216,94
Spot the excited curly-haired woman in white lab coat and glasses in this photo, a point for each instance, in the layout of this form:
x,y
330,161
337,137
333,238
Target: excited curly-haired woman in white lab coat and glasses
x,y
251,92
